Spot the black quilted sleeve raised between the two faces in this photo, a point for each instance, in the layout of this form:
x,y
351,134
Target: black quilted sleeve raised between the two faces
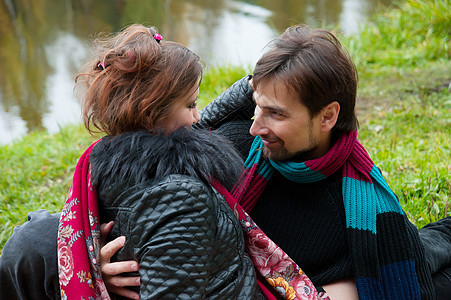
x,y
235,103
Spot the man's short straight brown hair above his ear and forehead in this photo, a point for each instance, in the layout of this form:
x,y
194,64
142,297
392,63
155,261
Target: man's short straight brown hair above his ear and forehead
x,y
313,64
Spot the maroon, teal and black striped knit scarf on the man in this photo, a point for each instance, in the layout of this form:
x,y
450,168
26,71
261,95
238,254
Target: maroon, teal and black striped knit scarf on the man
x,y
381,252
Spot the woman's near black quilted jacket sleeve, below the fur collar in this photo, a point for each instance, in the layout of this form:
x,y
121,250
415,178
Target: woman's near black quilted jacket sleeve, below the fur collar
x,y
172,231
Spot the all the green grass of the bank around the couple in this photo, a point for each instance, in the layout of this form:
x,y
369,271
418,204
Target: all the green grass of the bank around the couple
x,y
404,108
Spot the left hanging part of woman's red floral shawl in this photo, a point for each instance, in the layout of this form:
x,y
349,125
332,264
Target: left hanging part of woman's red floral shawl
x,y
78,238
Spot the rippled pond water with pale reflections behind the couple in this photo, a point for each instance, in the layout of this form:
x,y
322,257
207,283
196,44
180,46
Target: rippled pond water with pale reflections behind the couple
x,y
44,42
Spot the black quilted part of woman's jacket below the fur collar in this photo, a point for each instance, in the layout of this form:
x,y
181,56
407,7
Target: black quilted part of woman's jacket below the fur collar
x,y
181,222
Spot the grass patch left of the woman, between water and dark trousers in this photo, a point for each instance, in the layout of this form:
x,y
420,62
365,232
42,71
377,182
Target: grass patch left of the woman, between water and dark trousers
x,y
36,174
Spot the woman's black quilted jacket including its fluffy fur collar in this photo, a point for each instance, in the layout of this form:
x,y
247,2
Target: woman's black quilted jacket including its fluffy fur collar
x,y
184,235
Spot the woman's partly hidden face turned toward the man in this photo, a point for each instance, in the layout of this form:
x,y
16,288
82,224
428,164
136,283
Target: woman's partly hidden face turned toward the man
x,y
183,112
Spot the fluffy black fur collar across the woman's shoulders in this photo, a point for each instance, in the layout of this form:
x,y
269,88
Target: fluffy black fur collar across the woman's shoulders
x,y
139,156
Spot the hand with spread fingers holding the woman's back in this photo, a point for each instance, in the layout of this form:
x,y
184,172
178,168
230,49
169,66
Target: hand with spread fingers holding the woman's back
x,y
115,283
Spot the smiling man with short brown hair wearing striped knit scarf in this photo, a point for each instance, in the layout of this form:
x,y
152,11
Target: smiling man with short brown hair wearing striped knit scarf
x,y
338,219
